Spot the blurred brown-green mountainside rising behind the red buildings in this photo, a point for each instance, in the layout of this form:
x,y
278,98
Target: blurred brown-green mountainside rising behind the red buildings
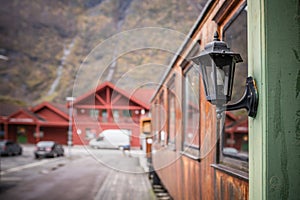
x,y
46,42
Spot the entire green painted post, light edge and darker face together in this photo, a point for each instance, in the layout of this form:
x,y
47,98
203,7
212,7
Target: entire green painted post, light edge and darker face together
x,y
274,52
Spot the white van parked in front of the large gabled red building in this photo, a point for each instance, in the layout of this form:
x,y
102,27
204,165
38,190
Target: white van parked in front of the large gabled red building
x,y
112,139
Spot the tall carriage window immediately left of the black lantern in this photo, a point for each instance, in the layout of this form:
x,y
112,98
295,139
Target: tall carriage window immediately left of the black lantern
x,y
191,113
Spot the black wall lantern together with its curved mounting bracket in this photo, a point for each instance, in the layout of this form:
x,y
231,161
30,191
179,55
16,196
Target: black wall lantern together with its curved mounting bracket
x,y
217,65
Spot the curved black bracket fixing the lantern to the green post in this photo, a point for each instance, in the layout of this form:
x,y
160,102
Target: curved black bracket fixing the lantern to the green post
x,y
249,101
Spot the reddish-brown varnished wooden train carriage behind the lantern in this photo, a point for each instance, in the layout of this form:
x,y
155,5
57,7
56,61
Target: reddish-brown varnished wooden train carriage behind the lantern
x,y
186,152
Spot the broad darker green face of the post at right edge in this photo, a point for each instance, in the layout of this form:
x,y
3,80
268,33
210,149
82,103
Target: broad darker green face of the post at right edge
x,y
282,67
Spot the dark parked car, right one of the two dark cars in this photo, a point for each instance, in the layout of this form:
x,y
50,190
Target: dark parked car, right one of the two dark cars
x,y
48,149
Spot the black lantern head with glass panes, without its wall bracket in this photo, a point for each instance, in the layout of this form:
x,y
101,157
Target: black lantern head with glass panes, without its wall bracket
x,y
217,65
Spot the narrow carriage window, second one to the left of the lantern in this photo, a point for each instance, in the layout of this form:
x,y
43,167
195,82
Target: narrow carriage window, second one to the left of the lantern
x,y
171,116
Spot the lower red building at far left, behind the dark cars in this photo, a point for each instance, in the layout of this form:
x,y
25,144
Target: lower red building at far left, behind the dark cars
x,y
43,122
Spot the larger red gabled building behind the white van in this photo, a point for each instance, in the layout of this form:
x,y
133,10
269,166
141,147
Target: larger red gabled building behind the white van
x,y
108,107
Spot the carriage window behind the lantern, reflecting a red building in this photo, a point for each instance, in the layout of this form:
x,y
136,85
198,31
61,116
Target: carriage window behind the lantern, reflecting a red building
x,y
235,139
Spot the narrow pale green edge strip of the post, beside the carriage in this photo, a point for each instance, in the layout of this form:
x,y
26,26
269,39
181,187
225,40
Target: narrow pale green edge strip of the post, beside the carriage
x,y
256,68
